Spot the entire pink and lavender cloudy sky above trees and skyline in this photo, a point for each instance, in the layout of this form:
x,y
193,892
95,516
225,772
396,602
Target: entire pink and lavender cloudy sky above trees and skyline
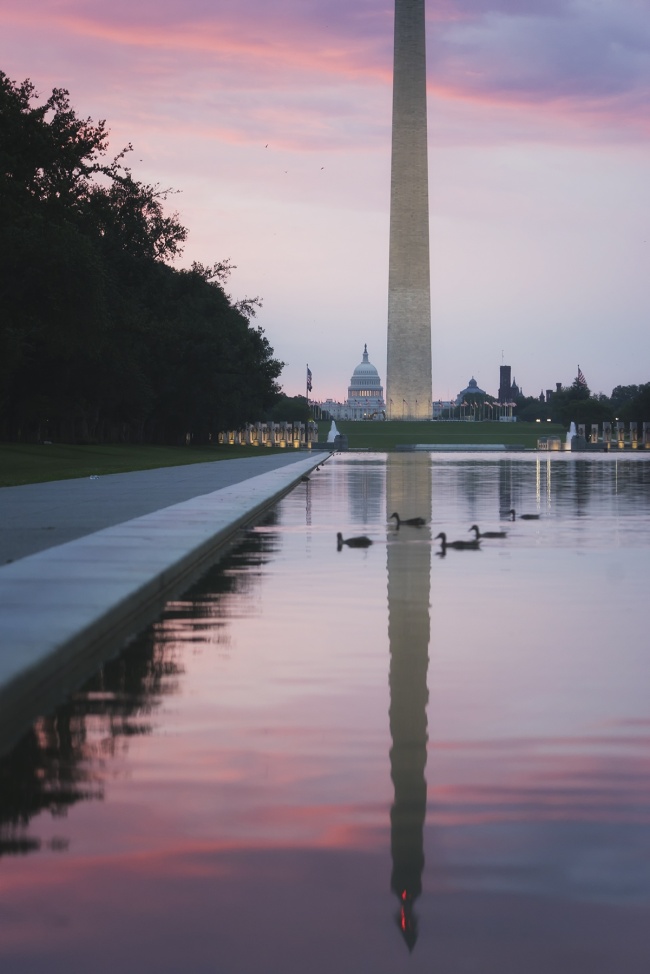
x,y
272,120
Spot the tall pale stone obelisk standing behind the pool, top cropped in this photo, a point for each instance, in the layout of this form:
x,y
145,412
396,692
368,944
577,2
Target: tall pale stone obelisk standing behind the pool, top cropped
x,y
408,368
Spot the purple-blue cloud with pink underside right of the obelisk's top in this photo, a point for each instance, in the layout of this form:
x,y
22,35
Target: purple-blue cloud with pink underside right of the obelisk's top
x,y
567,52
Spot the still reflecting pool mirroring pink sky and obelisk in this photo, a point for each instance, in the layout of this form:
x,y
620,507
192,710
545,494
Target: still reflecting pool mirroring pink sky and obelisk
x,y
383,759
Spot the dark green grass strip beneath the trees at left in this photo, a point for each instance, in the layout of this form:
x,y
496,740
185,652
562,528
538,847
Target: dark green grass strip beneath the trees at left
x,y
32,463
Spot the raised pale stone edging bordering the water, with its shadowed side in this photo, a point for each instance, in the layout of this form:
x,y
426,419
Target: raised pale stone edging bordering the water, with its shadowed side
x,y
65,609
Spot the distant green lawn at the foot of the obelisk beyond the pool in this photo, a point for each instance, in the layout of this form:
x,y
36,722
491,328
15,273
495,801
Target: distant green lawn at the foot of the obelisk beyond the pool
x,y
386,436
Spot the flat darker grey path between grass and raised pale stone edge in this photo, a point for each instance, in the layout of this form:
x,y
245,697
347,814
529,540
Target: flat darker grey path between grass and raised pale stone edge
x,y
38,516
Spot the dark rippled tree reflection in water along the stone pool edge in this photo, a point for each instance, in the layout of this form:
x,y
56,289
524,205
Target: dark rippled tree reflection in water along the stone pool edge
x,y
61,760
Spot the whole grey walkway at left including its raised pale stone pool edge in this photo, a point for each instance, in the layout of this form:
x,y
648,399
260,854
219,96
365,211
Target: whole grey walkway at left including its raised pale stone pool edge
x,y
88,563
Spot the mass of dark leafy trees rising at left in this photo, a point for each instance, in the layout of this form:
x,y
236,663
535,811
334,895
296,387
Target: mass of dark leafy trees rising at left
x,y
101,338
